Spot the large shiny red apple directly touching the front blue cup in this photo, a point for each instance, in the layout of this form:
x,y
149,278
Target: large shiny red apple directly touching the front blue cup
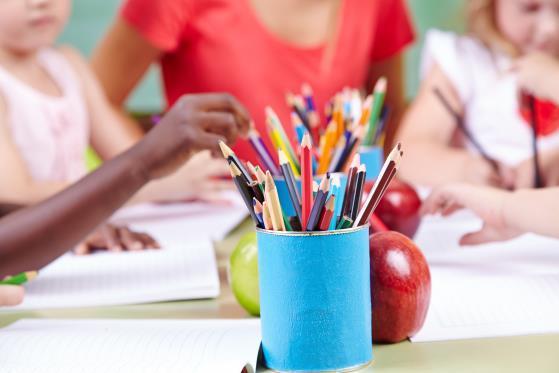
x,y
400,287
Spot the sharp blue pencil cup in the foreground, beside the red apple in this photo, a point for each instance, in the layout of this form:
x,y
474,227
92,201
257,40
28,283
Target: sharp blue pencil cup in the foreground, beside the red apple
x,y
315,301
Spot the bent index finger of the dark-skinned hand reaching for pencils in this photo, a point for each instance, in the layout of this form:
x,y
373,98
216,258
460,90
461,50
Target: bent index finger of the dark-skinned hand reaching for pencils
x,y
224,102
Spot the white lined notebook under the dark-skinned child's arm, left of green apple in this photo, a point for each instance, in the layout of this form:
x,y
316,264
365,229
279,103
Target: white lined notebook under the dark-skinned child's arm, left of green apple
x,y
184,270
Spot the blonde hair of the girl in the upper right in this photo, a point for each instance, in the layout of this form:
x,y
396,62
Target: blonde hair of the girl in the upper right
x,y
482,24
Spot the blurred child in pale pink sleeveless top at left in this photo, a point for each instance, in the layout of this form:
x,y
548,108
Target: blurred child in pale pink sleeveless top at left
x,y
52,108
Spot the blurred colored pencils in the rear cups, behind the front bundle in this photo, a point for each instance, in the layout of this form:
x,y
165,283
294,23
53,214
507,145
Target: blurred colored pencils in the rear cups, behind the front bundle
x,y
350,121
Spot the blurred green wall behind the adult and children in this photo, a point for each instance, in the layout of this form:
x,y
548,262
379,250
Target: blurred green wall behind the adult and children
x,y
90,19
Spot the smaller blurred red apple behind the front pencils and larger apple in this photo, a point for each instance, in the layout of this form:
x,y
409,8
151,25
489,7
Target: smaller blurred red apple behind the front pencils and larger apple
x,y
399,208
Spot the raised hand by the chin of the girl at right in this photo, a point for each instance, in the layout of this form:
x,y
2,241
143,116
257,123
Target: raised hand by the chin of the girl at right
x,y
538,73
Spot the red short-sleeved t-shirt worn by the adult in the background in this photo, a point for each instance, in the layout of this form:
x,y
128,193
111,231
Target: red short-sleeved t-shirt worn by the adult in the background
x,y
221,46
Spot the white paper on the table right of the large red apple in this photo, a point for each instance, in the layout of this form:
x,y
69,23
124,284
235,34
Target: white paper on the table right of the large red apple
x,y
498,289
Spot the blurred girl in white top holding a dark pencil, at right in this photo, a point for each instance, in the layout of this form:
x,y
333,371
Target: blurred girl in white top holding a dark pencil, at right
x,y
513,47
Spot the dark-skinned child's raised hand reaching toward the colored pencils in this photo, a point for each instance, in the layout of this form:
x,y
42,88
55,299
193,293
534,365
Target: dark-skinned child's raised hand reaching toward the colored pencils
x,y
194,123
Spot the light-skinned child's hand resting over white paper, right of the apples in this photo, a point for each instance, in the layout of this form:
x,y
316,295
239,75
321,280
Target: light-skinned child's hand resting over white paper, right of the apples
x,y
485,202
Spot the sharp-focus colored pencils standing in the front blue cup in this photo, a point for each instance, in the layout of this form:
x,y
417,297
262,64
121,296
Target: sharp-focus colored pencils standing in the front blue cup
x,y
321,208
